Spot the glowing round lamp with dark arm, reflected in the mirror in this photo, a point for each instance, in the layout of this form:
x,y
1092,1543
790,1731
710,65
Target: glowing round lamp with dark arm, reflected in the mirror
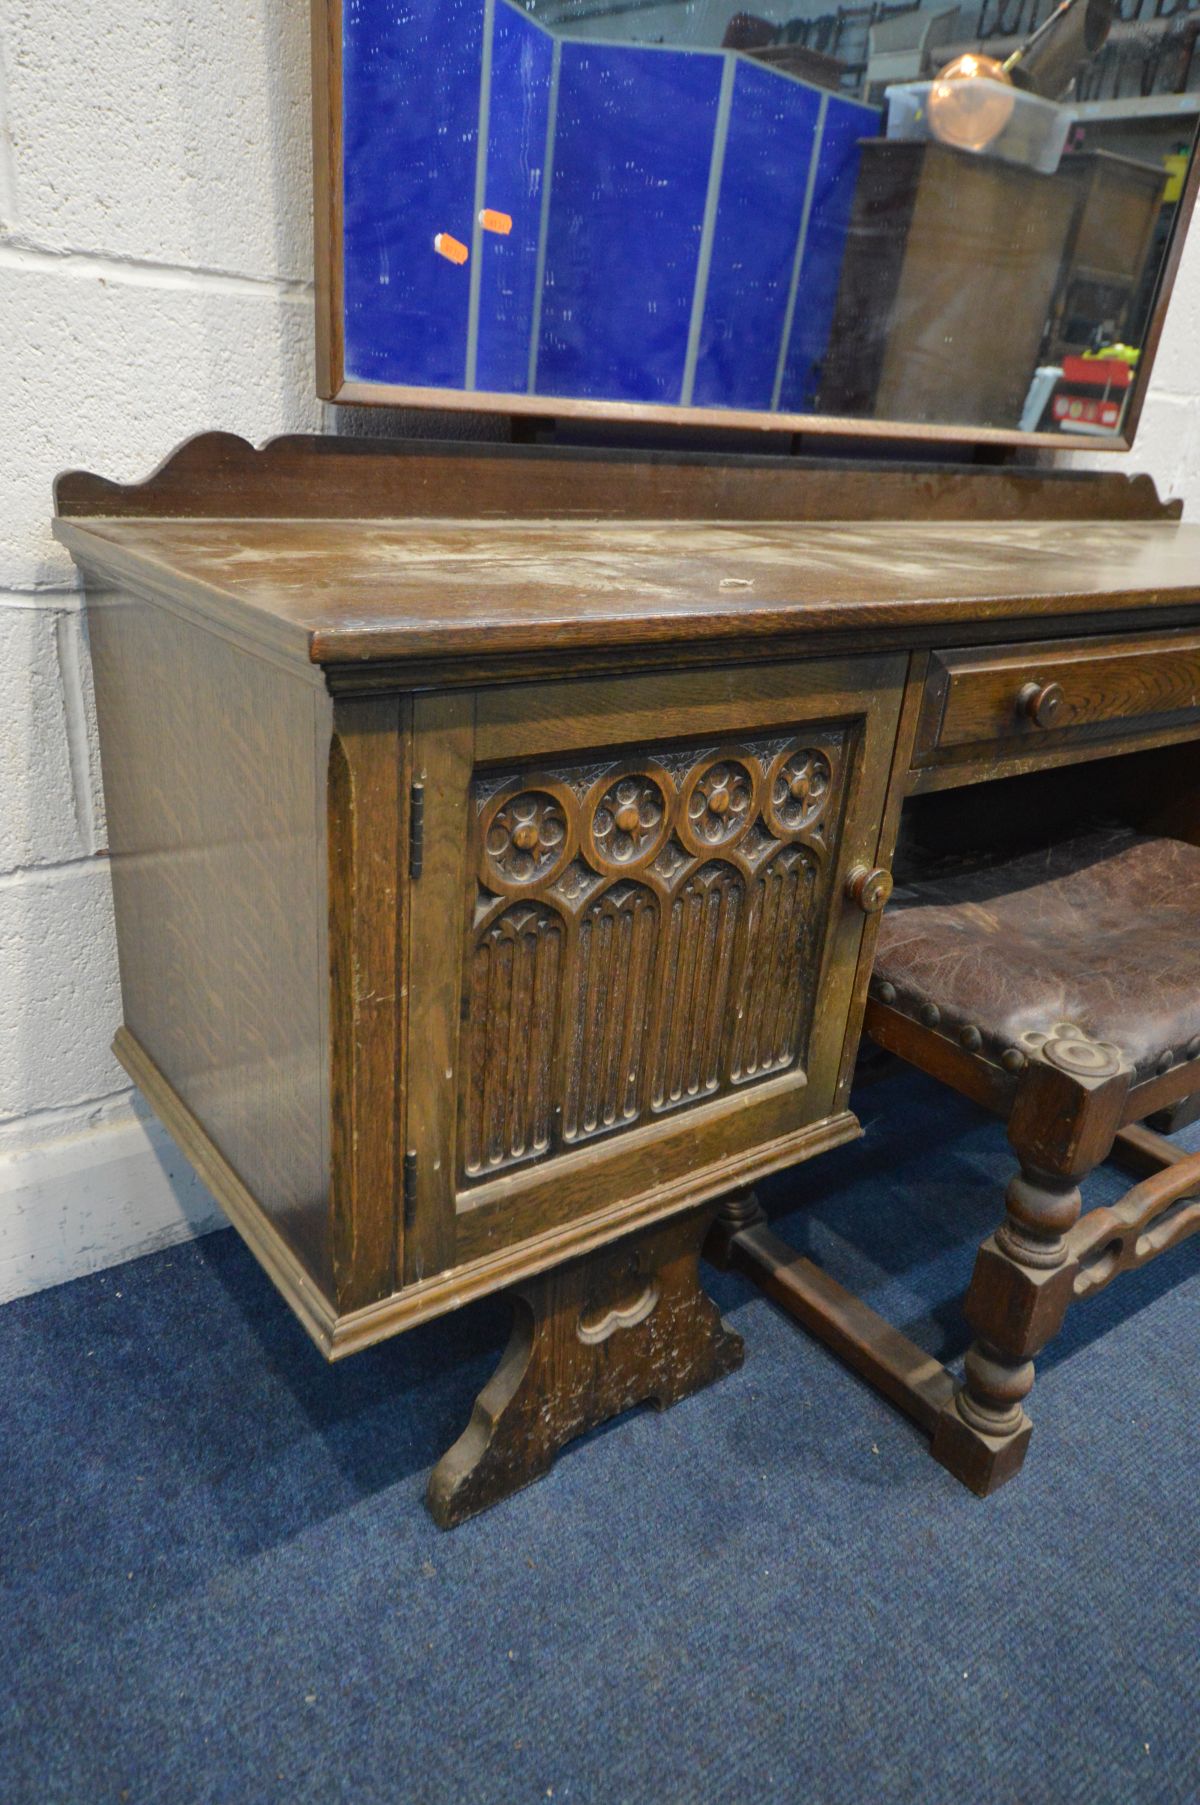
x,y
974,98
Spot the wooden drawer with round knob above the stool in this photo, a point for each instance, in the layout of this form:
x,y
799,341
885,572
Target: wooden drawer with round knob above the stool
x,y
1058,690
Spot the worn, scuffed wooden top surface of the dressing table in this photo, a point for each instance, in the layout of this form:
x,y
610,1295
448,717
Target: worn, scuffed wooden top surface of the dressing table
x,y
349,591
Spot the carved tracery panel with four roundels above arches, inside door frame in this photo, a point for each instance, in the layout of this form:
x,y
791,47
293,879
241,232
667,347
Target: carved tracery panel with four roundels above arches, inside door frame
x,y
647,936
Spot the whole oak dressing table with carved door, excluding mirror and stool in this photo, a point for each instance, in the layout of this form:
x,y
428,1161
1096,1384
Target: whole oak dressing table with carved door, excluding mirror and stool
x,y
499,838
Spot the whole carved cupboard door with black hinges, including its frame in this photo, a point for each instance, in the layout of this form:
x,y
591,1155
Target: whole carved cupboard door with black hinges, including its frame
x,y
632,950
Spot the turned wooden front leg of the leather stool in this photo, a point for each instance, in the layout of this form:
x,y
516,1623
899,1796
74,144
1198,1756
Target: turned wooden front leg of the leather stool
x,y
1064,1124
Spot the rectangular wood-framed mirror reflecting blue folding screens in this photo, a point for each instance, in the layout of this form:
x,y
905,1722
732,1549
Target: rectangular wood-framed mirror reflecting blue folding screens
x,y
932,221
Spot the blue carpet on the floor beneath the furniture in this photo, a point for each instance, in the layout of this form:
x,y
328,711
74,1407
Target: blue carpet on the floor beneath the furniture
x,y
219,1580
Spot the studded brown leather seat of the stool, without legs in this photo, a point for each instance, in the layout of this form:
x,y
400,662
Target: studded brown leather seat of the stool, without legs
x,y
1102,932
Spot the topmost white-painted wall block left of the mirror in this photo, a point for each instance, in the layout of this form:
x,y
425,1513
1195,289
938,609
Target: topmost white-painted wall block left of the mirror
x,y
163,133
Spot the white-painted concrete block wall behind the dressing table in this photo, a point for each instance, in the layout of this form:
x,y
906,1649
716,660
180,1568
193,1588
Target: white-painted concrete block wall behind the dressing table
x,y
154,282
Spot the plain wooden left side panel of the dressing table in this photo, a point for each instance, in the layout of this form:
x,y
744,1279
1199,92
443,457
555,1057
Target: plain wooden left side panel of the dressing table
x,y
214,773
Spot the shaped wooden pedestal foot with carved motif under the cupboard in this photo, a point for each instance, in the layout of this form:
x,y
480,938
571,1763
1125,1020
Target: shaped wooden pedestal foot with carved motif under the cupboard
x,y
625,1326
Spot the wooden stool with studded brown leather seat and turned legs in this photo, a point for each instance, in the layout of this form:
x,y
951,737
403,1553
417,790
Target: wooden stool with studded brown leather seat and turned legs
x,y
1064,992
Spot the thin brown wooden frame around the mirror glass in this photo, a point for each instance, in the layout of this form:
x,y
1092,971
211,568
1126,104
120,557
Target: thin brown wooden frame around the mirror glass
x,y
335,387
